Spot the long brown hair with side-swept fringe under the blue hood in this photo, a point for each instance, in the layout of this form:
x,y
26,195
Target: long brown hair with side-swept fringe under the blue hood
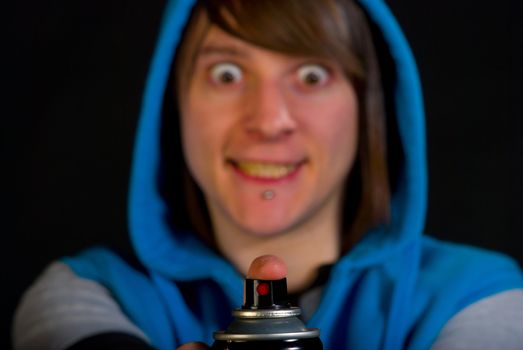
x,y
332,29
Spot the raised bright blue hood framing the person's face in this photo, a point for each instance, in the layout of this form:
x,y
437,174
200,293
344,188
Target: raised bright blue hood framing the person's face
x,y
180,255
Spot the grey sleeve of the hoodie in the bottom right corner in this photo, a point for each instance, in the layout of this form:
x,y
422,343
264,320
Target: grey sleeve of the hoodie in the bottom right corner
x,y
495,322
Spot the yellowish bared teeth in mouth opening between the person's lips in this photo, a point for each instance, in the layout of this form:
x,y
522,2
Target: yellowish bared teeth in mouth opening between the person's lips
x,y
265,170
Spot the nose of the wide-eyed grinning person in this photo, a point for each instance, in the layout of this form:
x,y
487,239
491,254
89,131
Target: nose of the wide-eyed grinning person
x,y
268,114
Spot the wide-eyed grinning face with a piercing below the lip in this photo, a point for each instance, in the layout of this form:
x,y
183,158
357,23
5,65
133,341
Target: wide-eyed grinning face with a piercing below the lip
x,y
254,120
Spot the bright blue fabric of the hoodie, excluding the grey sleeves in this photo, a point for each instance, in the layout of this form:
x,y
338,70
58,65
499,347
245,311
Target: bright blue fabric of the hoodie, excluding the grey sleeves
x,y
395,289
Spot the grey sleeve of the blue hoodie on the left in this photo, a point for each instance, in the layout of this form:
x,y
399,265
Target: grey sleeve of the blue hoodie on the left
x,y
61,309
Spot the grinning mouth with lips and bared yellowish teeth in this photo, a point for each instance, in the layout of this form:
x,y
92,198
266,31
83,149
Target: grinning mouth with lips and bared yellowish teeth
x,y
267,172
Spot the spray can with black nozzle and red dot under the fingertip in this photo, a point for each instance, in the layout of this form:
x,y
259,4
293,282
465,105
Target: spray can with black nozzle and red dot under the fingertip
x,y
267,321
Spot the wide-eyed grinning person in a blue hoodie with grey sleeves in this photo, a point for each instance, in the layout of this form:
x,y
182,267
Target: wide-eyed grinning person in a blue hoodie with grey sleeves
x,y
289,128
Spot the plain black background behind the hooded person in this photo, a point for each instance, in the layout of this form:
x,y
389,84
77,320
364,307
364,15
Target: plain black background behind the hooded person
x,y
73,81
